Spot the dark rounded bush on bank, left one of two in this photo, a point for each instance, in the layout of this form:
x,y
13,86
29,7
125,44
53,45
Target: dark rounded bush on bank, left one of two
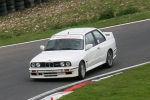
x,y
109,13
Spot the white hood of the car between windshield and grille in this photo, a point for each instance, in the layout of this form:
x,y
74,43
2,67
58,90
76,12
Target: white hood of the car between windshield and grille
x,y
47,56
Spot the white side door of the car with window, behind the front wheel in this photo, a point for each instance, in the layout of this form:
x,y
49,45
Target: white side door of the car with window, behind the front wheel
x,y
92,57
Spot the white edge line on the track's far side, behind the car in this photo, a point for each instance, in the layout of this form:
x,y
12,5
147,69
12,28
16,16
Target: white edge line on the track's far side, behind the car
x,y
100,28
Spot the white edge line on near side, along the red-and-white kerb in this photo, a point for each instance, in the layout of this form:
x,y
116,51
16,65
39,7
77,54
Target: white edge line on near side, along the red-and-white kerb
x,y
68,85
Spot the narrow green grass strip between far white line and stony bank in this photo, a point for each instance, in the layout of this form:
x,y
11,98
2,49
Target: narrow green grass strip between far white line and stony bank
x,y
7,39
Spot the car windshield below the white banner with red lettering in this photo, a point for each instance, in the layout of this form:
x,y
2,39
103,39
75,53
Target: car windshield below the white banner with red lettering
x,y
64,44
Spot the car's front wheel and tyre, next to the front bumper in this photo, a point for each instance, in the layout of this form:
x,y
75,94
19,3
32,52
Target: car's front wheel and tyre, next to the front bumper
x,y
82,70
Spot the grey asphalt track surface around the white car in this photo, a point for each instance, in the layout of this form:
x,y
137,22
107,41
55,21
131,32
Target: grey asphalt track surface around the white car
x,y
133,44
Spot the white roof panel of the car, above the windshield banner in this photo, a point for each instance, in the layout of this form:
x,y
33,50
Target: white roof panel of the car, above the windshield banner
x,y
77,31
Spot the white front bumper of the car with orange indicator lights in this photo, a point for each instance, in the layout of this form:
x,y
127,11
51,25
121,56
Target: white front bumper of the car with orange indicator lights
x,y
61,72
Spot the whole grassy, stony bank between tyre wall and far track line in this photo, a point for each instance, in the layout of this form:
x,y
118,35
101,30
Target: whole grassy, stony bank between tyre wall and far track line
x,y
48,18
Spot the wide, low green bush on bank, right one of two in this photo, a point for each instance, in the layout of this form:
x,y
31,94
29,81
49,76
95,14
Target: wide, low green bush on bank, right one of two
x,y
129,10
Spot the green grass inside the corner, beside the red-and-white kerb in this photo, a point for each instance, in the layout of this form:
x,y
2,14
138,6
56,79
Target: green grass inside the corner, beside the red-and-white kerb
x,y
132,84
